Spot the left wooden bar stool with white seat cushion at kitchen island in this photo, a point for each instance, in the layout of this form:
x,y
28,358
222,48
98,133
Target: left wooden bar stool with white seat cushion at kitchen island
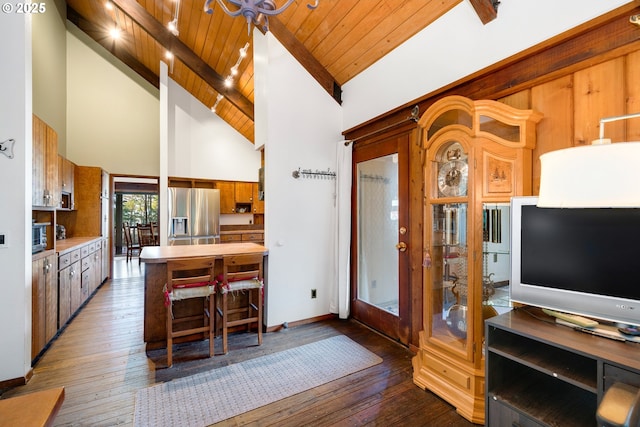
x,y
187,279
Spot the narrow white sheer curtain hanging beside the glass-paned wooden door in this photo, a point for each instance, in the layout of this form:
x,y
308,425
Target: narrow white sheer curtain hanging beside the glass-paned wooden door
x,y
340,289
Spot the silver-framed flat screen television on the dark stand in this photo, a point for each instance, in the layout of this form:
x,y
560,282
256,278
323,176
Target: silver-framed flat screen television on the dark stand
x,y
575,260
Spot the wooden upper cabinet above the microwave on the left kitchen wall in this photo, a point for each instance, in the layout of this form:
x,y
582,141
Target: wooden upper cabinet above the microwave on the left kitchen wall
x,y
45,190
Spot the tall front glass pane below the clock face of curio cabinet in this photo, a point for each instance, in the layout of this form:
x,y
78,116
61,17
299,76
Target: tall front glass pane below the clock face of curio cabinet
x,y
449,274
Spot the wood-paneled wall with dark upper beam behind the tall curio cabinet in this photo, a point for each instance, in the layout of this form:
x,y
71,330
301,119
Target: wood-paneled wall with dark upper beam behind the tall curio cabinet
x,y
574,80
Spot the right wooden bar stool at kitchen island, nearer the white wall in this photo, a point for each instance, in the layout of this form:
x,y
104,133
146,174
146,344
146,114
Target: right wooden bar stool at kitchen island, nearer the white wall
x,y
242,277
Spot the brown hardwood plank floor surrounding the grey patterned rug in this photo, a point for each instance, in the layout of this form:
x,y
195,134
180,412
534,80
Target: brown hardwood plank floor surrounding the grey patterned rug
x,y
101,361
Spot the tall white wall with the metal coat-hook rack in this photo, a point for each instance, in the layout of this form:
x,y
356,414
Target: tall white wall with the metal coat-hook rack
x,y
302,131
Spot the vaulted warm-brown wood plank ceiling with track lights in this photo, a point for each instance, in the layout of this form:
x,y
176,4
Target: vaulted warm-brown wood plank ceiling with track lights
x,y
334,42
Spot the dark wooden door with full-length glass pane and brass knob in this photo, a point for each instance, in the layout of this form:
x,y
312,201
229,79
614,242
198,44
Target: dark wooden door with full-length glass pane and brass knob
x,y
380,256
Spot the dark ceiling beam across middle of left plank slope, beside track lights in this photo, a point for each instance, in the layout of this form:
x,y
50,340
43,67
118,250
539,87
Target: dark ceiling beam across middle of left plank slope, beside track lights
x,y
181,51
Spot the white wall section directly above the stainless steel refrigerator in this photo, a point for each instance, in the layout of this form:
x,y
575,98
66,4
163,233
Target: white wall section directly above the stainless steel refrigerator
x,y
202,145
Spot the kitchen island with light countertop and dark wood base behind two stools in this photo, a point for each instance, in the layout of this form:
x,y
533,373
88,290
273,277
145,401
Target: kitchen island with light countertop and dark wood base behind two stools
x,y
155,276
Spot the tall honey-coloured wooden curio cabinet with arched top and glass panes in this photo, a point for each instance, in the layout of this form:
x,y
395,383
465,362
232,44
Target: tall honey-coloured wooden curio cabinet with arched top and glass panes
x,y
477,156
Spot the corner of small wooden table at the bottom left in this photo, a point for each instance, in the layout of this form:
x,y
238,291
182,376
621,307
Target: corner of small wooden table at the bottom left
x,y
34,409
